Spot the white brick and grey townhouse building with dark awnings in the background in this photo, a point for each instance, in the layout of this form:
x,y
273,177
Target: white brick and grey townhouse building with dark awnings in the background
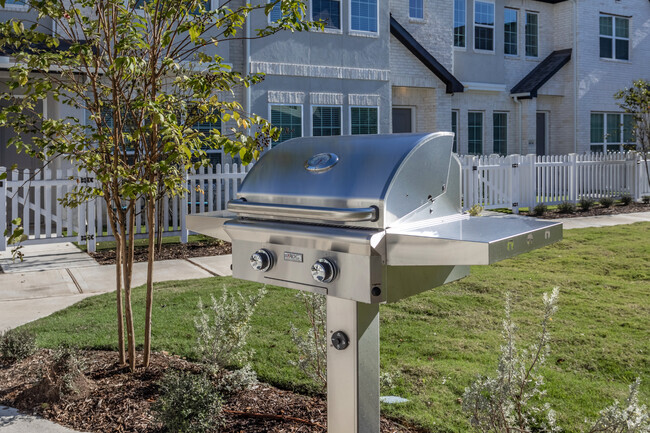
x,y
507,76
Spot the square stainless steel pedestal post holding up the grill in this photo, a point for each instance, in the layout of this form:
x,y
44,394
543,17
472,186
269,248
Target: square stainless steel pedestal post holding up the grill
x,y
353,372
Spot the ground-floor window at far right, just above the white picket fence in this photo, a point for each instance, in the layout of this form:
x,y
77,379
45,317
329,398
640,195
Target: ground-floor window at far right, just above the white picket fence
x,y
612,132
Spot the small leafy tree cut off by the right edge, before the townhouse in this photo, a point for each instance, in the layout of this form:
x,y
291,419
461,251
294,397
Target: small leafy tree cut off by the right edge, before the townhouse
x,y
636,101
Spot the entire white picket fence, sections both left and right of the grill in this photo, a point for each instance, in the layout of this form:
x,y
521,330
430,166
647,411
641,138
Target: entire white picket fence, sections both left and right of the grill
x,y
493,182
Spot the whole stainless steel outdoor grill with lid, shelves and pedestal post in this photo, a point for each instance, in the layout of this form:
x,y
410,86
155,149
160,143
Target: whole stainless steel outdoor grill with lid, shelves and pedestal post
x,y
363,220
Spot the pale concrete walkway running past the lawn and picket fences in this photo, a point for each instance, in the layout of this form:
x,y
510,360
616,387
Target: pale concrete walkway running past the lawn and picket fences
x,y
53,277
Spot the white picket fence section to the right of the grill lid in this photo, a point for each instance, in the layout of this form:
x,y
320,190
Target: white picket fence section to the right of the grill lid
x,y
517,181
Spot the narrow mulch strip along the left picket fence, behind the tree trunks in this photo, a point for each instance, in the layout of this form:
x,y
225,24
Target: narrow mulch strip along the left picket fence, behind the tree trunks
x,y
170,251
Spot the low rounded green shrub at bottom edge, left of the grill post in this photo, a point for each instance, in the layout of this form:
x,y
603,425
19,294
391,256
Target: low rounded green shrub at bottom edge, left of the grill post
x,y
188,403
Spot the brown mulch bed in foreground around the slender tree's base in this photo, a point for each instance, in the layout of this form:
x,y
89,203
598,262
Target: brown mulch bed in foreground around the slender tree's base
x,y
118,401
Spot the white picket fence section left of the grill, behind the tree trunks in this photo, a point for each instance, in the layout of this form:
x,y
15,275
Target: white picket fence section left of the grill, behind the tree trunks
x,y
34,197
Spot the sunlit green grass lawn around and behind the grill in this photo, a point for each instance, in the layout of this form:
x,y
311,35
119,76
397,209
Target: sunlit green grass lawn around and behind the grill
x,y
435,343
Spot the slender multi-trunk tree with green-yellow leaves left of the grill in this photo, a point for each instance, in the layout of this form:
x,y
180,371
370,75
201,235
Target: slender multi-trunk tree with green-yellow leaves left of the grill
x,y
142,72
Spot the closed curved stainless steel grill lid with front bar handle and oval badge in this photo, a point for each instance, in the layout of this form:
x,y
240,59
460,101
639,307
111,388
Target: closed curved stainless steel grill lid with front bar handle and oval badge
x,y
363,181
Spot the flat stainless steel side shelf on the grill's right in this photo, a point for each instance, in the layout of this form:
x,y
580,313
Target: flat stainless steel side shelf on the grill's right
x,y
477,241
